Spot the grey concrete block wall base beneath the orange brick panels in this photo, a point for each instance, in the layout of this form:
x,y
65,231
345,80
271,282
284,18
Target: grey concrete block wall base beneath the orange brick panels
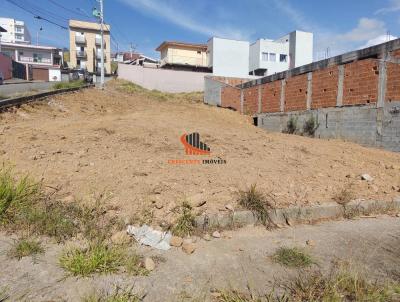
x,y
366,125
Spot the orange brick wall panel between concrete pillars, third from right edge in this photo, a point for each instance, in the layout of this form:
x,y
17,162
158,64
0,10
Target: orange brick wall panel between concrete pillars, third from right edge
x,y
325,87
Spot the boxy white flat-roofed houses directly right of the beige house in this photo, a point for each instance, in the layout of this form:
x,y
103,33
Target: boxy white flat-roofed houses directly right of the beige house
x,y
232,58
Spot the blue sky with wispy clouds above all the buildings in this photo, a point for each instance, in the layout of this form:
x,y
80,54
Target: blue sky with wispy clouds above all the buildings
x,y
339,25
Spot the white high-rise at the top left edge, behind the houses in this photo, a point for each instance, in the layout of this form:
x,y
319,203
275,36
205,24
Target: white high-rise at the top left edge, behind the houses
x,y
17,32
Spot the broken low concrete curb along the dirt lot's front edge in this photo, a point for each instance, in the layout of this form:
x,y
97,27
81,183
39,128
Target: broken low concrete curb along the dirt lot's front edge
x,y
298,215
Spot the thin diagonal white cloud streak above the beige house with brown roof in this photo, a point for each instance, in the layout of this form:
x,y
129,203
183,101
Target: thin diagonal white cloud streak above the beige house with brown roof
x,y
174,14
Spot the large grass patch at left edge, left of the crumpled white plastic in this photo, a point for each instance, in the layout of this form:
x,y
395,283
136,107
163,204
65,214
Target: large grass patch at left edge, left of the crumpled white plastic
x,y
24,206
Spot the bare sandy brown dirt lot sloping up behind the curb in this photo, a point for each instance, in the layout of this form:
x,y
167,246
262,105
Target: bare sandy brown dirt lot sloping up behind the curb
x,y
110,141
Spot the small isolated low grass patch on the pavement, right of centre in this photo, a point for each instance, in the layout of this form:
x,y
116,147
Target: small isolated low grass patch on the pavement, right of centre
x,y
292,257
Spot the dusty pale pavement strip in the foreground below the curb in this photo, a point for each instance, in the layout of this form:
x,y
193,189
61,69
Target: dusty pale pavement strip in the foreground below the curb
x,y
238,260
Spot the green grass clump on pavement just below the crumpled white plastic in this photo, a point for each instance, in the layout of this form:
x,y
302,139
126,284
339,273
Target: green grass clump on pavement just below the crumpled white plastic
x,y
100,258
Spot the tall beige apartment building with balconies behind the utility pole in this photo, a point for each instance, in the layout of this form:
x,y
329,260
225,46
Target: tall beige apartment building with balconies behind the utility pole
x,y
85,46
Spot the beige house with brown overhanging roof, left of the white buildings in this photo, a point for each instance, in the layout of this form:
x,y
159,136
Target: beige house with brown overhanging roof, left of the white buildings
x,y
180,54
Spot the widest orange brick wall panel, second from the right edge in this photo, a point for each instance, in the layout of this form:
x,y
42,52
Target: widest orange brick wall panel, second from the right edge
x,y
360,82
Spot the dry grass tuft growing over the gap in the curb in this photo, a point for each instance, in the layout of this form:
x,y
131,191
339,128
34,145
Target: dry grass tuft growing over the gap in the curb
x,y
257,202
